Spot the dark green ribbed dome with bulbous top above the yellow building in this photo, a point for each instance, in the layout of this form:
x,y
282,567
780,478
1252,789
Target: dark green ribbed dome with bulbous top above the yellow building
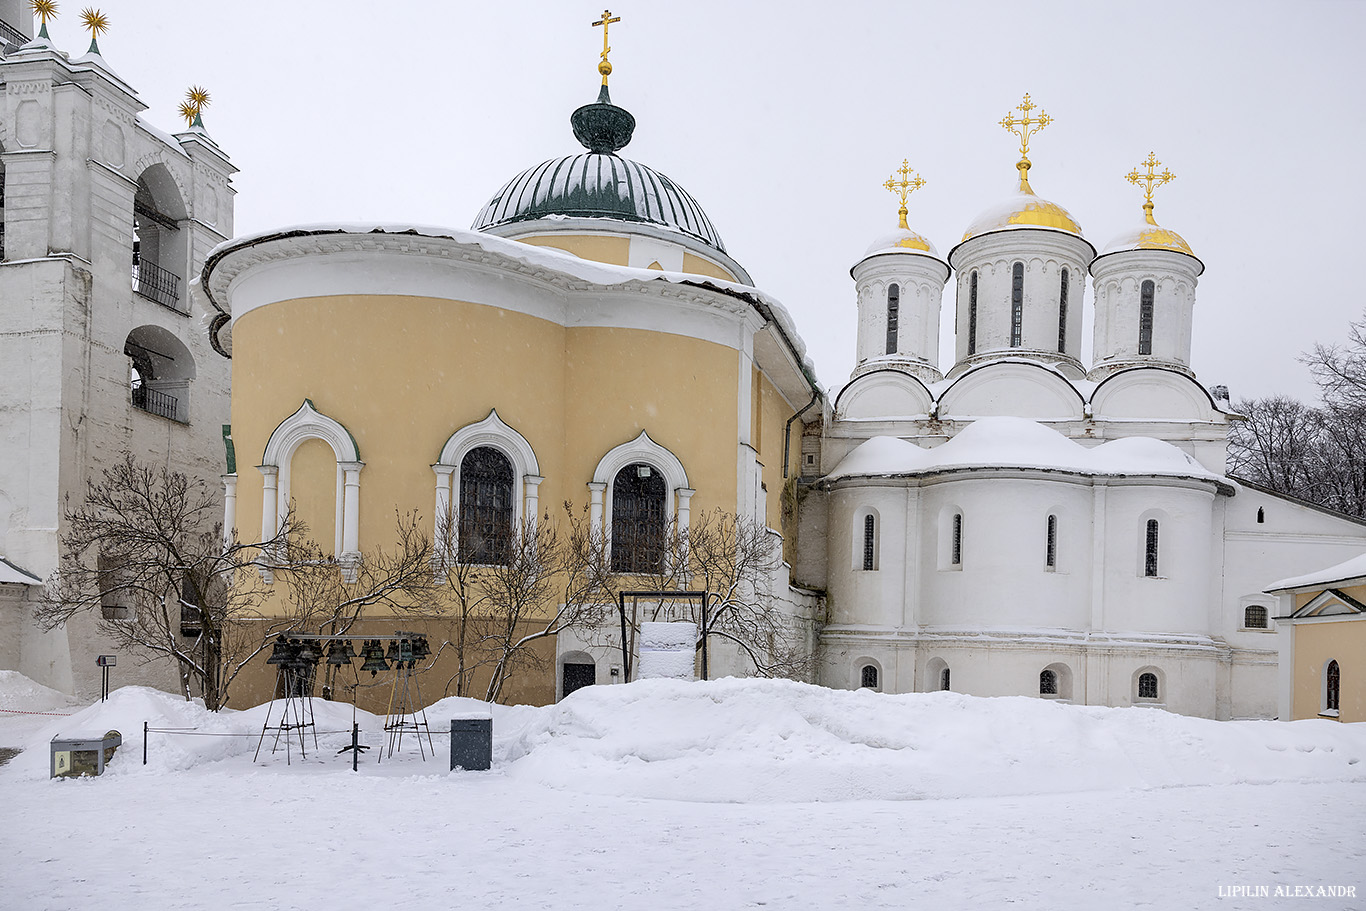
x,y
599,184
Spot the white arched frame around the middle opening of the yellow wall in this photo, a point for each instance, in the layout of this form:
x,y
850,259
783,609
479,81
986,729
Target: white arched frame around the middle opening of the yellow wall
x,y
527,479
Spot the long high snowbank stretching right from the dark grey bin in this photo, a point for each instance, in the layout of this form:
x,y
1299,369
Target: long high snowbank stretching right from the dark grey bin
x,y
777,741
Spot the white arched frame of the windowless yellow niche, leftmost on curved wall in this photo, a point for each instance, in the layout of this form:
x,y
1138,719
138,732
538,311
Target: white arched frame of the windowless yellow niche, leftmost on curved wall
x,y
304,425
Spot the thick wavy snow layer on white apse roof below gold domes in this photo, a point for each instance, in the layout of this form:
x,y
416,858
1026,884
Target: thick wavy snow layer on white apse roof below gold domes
x,y
1020,443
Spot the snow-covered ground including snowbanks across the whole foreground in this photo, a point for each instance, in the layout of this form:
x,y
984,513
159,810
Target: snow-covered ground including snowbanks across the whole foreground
x,y
731,794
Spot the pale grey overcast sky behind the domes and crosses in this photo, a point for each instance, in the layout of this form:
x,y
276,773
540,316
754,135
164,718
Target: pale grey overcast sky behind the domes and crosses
x,y
783,121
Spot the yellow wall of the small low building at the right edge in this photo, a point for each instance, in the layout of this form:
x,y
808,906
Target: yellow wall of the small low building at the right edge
x,y
1316,645
